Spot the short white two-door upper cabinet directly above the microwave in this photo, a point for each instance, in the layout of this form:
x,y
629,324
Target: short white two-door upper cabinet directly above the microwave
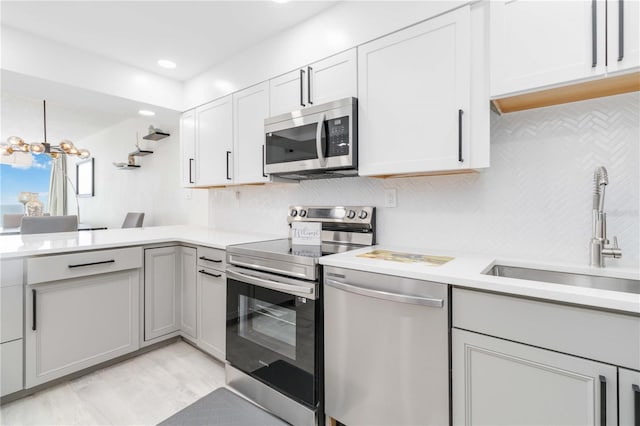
x,y
323,81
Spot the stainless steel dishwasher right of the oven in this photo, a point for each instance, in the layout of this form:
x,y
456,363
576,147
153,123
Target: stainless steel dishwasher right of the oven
x,y
386,348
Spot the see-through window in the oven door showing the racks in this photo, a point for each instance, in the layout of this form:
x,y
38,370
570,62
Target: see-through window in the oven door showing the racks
x,y
268,325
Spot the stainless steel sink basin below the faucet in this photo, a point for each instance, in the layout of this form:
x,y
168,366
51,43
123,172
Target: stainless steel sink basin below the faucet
x,y
566,278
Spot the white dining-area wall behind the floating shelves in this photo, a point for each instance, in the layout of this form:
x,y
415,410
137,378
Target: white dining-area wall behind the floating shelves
x,y
153,189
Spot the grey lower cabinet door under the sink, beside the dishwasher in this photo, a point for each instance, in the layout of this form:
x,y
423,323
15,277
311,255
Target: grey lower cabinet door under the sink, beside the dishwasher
x,y
498,382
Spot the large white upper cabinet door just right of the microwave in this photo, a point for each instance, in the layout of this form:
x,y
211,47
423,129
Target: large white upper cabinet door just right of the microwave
x,y
412,86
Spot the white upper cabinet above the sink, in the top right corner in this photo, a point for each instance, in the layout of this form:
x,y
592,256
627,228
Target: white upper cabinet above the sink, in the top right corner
x,y
538,45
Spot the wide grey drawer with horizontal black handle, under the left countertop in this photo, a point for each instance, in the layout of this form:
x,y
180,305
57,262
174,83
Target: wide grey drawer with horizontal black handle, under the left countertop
x,y
60,267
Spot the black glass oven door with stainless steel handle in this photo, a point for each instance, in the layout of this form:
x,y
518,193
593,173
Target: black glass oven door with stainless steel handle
x,y
271,331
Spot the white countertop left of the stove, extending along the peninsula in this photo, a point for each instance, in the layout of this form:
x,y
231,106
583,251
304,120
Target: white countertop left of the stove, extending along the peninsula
x,y
37,244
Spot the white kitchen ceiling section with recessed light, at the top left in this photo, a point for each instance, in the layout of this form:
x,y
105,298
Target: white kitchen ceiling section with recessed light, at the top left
x,y
195,34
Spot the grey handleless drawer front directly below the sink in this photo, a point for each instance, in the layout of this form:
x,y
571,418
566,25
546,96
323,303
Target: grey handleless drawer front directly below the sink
x,y
590,333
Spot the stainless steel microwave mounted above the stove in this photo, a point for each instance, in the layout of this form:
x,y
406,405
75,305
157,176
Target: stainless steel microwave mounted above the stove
x,y
316,142
